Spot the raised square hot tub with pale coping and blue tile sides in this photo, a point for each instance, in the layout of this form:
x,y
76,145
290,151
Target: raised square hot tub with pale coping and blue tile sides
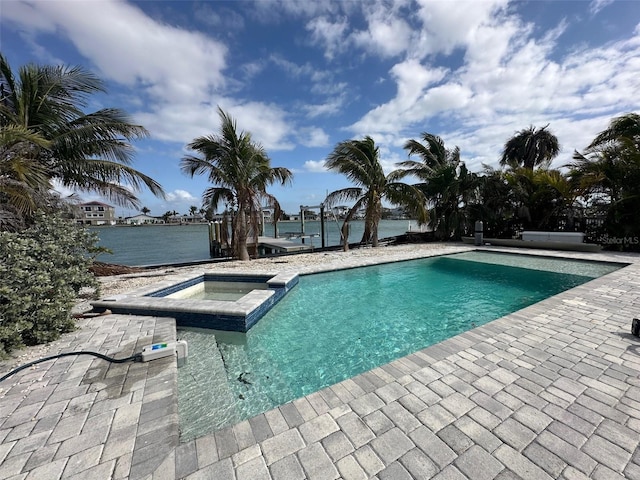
x,y
232,302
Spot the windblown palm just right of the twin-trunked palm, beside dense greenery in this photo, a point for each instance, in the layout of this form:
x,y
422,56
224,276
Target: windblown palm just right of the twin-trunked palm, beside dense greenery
x,y
447,184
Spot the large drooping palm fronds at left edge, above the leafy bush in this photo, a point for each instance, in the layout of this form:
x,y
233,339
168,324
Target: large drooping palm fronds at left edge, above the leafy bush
x,y
83,151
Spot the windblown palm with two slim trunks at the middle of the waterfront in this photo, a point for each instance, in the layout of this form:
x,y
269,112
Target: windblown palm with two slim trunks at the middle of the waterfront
x,y
359,160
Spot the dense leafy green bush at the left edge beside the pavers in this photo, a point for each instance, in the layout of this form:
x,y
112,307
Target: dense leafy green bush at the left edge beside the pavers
x,y
42,271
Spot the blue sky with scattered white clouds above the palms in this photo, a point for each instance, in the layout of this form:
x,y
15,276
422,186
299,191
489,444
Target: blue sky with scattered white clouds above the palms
x,y
302,76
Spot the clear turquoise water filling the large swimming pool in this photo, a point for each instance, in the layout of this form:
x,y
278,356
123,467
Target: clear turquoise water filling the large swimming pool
x,y
335,325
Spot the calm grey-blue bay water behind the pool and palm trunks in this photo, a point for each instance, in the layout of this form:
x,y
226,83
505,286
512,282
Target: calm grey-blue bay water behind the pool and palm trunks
x,y
157,244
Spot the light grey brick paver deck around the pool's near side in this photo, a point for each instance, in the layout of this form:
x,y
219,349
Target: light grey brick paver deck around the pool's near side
x,y
551,391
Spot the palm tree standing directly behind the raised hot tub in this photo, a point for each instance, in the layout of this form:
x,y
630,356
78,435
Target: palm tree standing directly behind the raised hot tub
x,y
240,170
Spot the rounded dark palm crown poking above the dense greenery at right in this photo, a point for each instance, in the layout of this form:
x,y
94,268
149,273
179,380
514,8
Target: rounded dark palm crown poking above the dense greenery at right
x,y
530,148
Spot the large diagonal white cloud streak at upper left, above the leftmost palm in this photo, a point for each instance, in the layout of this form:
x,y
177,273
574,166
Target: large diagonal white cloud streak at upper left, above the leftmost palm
x,y
159,59
